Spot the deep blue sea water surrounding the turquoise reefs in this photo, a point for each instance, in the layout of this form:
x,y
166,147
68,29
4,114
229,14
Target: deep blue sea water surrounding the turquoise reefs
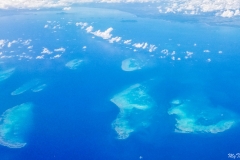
x,y
72,116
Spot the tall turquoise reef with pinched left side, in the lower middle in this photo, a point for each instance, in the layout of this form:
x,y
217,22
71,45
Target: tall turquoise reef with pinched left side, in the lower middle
x,y
136,109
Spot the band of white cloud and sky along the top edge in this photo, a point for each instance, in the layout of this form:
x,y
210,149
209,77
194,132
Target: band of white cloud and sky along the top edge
x,y
223,8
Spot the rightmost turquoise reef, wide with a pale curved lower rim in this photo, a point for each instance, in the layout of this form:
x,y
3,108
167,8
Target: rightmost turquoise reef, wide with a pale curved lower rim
x,y
194,116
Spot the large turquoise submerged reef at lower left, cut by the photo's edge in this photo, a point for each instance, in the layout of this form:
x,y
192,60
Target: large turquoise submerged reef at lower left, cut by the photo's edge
x,y
14,124
